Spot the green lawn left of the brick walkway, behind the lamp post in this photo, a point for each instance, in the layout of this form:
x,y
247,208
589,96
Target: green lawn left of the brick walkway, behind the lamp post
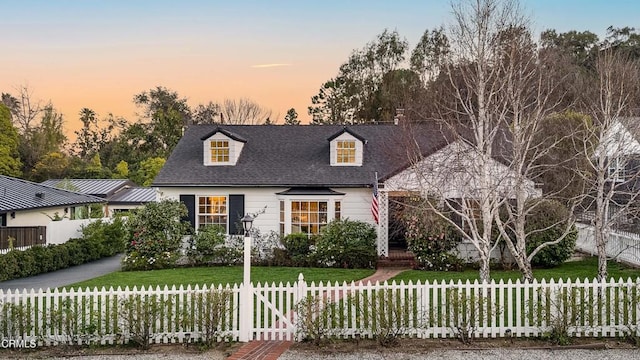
x,y
220,275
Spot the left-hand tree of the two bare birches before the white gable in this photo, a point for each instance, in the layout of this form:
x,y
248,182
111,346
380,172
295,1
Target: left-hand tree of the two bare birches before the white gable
x,y
464,182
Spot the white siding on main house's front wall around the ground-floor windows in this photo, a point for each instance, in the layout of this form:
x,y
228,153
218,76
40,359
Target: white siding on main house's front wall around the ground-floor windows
x,y
355,203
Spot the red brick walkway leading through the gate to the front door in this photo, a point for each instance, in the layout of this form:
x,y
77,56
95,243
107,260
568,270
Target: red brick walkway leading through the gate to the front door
x,y
271,350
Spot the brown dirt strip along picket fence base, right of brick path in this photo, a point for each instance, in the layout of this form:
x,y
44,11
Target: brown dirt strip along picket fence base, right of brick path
x,y
417,346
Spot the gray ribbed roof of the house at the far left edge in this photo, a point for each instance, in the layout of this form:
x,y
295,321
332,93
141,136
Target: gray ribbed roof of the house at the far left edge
x,y
17,194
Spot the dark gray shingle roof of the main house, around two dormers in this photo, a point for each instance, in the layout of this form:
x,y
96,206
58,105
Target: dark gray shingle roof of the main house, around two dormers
x,y
278,155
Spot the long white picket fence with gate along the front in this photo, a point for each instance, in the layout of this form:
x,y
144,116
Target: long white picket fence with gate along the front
x,y
347,310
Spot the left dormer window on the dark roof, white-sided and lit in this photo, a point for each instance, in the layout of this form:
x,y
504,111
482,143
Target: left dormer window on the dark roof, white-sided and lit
x,y
221,148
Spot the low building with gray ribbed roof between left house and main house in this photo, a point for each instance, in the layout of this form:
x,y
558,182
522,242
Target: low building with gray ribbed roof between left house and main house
x,y
119,194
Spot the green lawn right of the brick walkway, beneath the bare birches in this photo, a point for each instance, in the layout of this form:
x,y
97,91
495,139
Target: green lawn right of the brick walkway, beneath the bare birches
x,y
582,269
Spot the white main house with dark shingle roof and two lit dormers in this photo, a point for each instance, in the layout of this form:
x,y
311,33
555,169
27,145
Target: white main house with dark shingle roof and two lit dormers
x,y
299,178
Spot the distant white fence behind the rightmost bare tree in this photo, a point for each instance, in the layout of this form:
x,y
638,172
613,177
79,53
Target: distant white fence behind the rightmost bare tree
x,y
621,246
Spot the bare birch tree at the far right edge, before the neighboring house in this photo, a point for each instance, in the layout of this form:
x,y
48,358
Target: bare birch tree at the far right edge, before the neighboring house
x,y
611,94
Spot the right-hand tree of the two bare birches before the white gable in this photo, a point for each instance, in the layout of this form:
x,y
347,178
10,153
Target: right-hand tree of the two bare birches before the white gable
x,y
532,93
